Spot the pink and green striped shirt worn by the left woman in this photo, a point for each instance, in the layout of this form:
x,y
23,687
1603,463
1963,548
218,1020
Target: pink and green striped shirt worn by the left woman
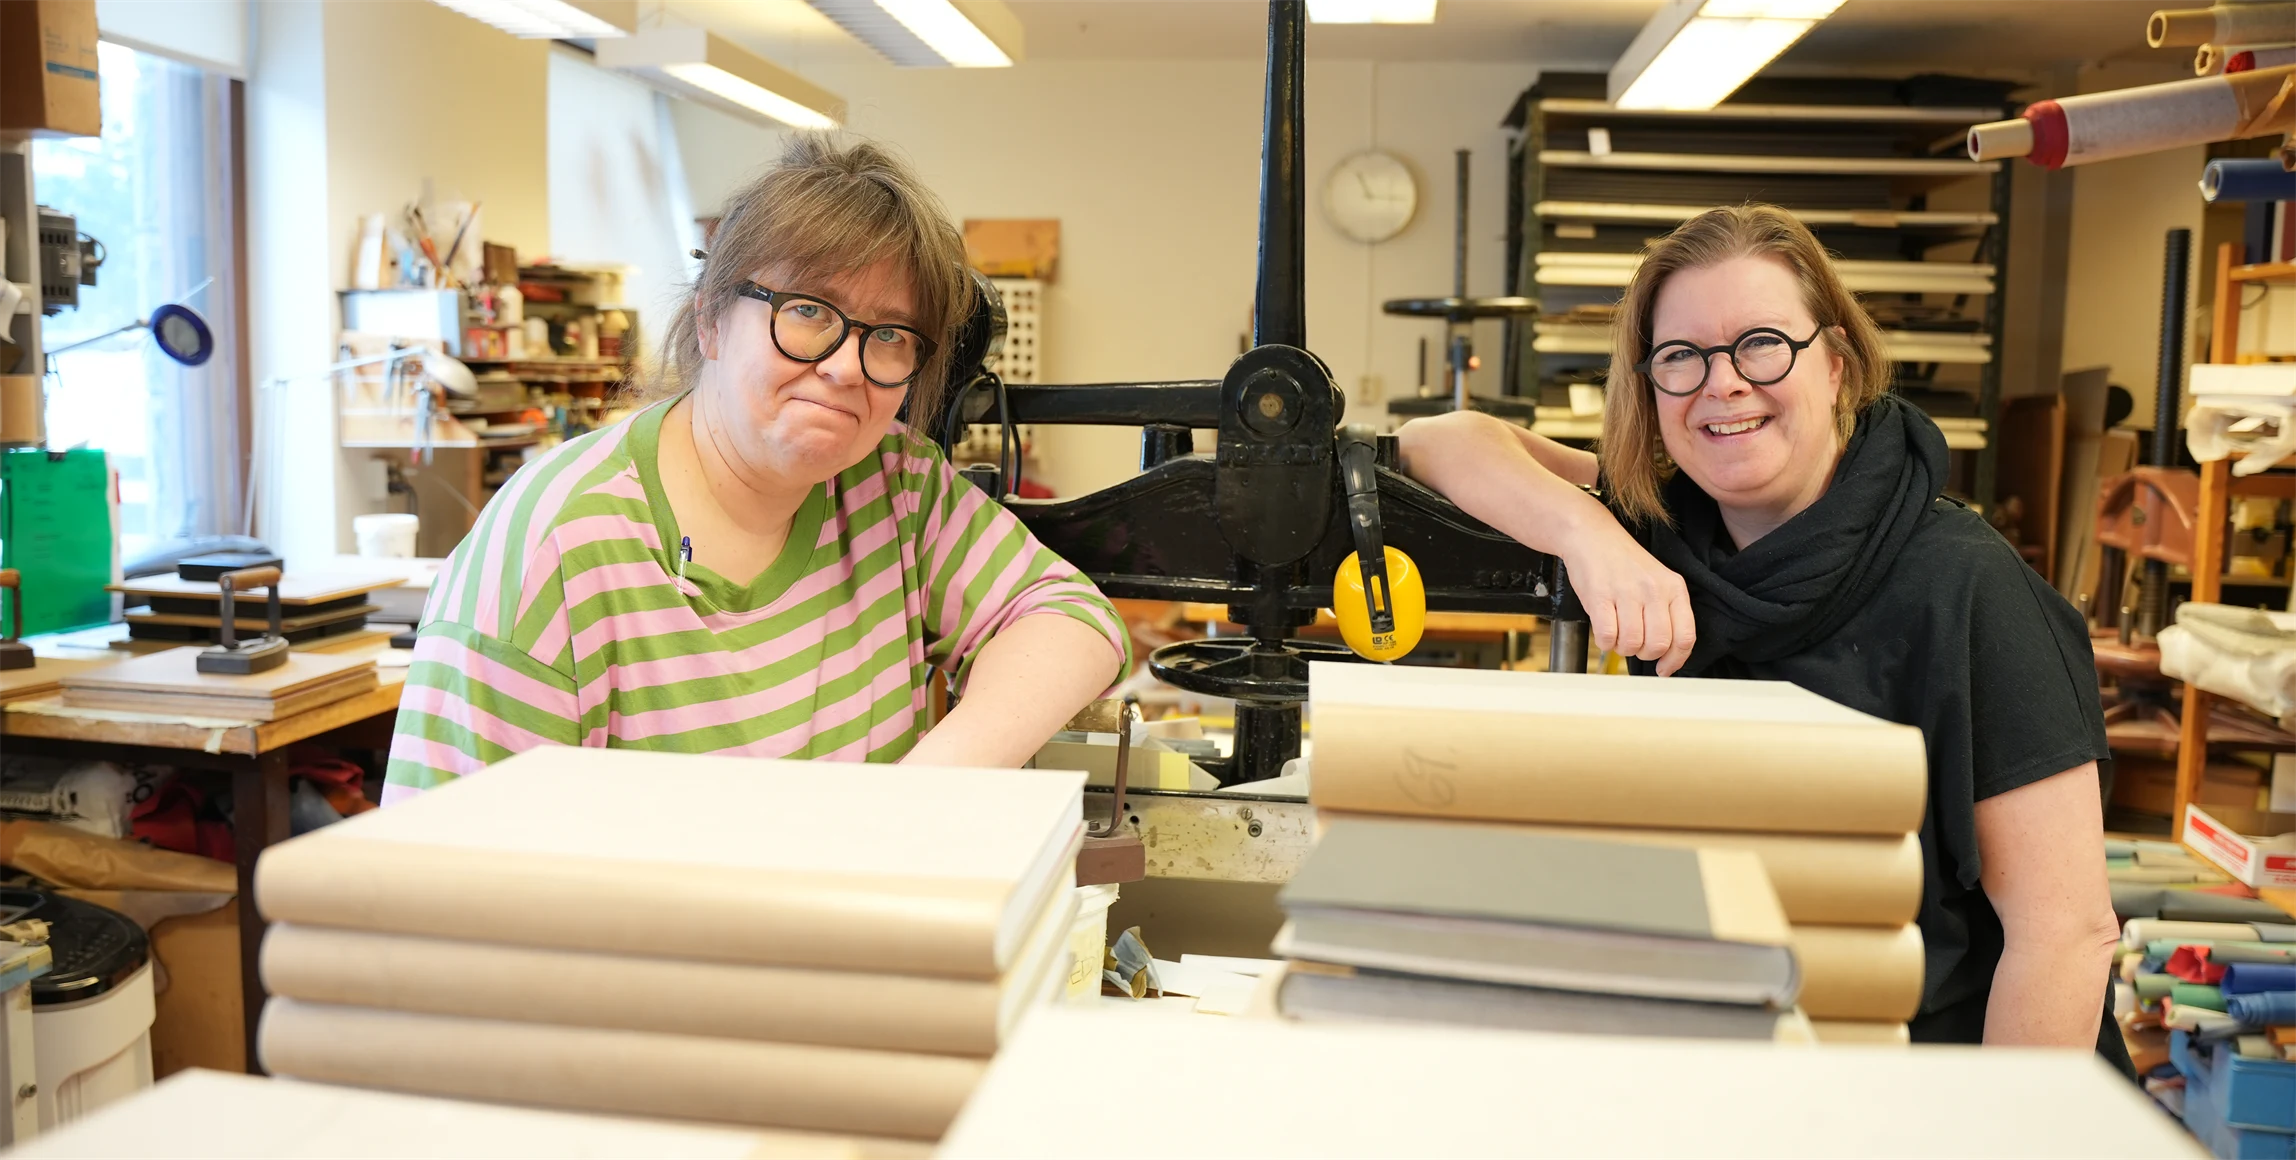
x,y
564,617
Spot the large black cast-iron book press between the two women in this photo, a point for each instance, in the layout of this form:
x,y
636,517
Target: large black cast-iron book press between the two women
x,y
1264,523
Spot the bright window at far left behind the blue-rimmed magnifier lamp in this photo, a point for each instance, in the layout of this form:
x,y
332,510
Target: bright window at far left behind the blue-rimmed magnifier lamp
x,y
157,190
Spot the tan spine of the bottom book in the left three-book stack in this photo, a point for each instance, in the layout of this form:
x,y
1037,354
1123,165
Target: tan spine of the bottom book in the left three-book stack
x,y
584,1069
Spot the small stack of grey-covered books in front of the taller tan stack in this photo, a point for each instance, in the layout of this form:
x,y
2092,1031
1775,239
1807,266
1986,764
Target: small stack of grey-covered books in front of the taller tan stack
x,y
1420,922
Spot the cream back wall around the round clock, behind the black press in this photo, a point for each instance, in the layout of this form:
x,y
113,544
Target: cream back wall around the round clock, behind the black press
x,y
1154,173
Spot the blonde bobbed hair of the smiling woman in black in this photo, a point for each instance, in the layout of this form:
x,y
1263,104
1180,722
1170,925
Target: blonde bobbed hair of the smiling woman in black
x,y
1634,458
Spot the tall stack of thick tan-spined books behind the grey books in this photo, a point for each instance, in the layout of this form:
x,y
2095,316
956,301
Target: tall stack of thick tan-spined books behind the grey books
x,y
1824,796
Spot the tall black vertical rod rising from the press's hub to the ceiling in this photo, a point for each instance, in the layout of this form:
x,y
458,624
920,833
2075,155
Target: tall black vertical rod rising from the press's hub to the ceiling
x,y
1280,307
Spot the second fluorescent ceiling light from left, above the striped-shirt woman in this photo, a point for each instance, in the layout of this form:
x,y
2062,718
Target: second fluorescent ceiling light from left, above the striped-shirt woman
x,y
706,68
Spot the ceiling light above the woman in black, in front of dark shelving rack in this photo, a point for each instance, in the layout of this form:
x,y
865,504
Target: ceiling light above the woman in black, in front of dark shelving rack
x,y
1698,52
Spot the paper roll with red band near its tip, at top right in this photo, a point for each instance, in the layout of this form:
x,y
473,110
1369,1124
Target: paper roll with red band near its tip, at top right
x,y
2143,121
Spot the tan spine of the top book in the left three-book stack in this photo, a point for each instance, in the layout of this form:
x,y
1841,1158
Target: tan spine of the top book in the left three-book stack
x,y
596,904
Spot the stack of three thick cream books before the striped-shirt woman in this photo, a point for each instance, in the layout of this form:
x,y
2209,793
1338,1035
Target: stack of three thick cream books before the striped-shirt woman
x,y
779,945
